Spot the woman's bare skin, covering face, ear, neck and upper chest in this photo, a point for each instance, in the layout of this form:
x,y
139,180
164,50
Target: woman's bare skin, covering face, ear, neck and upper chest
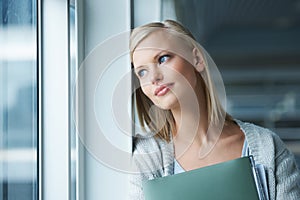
x,y
171,82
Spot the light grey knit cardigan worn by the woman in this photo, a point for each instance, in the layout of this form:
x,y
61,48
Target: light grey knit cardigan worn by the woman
x,y
154,158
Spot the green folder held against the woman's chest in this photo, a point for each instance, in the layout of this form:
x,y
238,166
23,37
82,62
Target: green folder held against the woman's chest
x,y
231,180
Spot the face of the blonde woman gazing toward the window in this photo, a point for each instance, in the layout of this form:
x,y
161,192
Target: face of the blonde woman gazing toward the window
x,y
163,64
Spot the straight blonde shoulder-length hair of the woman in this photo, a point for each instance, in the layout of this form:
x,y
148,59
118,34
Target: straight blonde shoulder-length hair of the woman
x,y
149,114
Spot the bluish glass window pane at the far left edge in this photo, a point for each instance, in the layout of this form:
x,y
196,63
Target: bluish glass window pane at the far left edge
x,y
18,113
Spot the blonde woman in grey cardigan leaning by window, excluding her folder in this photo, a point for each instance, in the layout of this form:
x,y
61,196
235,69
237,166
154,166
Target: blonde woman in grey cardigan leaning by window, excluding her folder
x,y
186,125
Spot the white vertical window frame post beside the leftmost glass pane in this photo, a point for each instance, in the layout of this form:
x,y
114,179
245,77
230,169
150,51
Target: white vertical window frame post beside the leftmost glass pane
x,y
53,100
